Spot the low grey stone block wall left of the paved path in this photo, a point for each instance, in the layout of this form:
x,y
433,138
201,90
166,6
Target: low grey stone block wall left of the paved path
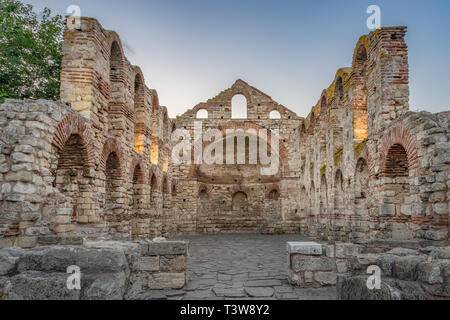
x,y
109,270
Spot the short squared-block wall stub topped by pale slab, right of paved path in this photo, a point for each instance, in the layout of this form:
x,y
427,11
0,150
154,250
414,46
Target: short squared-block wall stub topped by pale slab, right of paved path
x,y
315,265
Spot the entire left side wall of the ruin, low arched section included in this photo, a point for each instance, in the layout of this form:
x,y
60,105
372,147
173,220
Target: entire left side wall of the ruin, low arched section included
x,y
86,166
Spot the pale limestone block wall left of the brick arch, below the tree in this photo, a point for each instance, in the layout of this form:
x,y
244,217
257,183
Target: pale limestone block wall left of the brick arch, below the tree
x,y
31,206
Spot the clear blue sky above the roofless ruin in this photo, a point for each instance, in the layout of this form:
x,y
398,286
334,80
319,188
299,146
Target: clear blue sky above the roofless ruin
x,y
190,50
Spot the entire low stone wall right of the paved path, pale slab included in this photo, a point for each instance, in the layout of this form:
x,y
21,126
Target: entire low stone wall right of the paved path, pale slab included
x,y
411,272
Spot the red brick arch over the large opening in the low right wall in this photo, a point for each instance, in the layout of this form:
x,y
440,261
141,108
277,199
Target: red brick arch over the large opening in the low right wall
x,y
399,135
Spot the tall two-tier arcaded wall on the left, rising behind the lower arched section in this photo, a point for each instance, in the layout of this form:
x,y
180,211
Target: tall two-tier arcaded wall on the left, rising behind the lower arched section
x,y
128,123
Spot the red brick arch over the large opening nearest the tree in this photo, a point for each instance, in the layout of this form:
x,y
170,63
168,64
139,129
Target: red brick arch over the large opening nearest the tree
x,y
75,124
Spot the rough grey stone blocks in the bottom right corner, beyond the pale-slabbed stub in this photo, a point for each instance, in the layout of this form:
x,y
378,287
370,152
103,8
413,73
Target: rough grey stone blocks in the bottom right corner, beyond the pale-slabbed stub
x,y
406,274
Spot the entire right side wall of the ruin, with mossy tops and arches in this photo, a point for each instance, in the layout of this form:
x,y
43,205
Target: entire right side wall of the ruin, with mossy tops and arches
x,y
370,168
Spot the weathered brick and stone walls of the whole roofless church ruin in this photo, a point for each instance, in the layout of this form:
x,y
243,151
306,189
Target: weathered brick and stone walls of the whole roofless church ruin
x,y
359,166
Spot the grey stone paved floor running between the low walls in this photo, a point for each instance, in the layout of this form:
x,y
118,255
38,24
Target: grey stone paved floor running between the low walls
x,y
241,267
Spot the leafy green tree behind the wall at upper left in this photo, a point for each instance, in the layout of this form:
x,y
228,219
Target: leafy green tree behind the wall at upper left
x,y
30,52
